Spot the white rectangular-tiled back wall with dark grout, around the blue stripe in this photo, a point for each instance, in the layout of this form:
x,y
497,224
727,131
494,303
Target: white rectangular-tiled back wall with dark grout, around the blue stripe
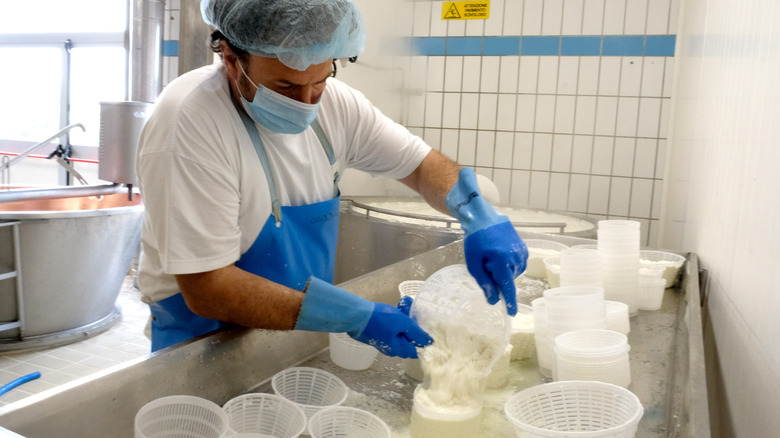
x,y
585,134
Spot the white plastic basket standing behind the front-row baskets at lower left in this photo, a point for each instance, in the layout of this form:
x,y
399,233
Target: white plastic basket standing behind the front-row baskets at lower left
x,y
311,389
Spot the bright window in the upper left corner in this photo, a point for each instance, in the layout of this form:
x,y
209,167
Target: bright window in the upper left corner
x,y
38,70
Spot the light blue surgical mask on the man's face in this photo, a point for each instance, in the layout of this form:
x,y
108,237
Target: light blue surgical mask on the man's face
x,y
276,112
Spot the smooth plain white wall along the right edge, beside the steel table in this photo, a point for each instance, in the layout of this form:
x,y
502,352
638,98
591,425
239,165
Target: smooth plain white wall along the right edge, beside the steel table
x,y
722,200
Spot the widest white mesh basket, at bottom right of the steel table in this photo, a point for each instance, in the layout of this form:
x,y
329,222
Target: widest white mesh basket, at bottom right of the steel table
x,y
581,409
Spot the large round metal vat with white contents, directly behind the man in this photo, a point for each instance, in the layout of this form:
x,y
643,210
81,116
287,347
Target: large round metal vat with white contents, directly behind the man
x,y
377,231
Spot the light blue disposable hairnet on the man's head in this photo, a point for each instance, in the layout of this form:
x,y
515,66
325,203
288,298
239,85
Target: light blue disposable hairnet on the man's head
x,y
299,33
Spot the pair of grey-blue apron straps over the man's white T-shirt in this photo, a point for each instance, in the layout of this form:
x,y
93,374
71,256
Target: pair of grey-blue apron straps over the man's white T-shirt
x,y
257,142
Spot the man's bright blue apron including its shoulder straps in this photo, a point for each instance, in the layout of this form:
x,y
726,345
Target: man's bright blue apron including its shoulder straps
x,y
286,252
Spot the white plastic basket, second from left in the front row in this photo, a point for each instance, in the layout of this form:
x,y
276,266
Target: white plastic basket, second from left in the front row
x,y
266,415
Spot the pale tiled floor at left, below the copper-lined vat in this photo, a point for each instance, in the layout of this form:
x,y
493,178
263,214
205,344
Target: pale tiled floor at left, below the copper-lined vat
x,y
59,365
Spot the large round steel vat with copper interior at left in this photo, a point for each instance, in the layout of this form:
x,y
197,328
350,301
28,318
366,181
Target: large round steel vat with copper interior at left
x,y
70,261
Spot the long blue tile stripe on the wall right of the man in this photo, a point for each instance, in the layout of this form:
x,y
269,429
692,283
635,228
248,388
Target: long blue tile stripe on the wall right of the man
x,y
607,45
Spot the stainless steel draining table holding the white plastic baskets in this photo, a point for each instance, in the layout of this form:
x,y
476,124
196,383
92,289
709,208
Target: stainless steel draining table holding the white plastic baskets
x,y
666,359
